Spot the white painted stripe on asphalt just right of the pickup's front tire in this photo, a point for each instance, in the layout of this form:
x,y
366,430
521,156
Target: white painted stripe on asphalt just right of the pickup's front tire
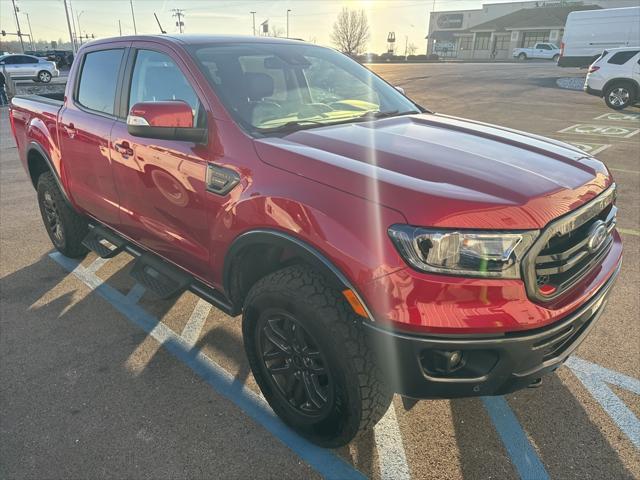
x,y
392,460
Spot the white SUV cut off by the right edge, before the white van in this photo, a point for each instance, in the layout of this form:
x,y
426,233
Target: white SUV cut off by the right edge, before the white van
x,y
615,75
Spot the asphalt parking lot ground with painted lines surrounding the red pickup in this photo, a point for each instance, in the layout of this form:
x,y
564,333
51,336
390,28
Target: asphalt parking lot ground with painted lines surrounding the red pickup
x,y
101,379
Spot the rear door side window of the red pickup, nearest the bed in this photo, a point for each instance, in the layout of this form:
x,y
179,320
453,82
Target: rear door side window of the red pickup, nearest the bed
x,y
98,80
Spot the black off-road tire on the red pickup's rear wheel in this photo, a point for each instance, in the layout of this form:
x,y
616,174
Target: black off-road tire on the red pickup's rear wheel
x,y
73,225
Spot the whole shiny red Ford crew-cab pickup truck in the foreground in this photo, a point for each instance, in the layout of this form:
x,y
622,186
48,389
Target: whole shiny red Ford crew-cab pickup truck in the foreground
x,y
370,245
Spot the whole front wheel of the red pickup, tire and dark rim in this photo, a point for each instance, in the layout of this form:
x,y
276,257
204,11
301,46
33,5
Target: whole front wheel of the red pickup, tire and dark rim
x,y
311,358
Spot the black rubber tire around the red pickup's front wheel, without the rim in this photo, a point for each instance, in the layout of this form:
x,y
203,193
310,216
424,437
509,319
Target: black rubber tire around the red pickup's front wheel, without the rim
x,y
361,395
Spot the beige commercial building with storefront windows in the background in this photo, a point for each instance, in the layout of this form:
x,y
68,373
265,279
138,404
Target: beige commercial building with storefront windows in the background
x,y
492,32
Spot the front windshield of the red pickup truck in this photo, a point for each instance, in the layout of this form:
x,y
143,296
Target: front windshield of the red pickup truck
x,y
271,87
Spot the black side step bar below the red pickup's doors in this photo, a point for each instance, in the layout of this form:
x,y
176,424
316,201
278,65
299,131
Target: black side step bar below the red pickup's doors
x,y
155,274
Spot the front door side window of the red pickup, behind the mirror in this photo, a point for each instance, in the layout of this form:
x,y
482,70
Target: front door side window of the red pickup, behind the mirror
x,y
156,78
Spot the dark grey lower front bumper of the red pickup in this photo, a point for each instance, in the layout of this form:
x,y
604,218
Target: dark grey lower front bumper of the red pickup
x,y
491,365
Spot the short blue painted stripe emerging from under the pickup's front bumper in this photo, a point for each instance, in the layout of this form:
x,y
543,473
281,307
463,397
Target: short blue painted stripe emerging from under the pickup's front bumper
x,y
523,456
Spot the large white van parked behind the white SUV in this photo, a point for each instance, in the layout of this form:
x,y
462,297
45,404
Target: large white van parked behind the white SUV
x,y
589,32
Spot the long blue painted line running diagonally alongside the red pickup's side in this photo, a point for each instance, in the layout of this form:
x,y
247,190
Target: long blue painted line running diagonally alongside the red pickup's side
x,y
324,461
